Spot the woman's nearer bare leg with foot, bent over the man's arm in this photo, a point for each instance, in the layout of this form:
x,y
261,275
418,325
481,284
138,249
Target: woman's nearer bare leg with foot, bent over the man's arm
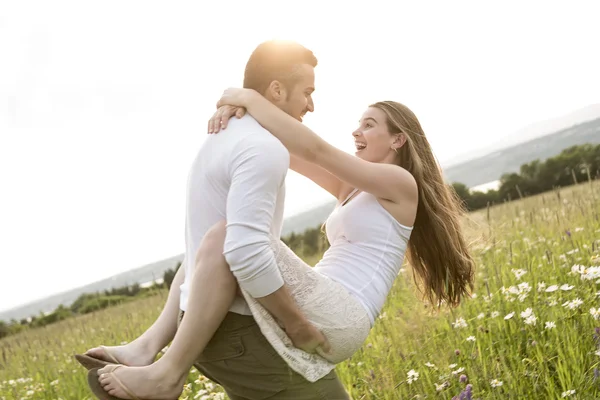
x,y
213,291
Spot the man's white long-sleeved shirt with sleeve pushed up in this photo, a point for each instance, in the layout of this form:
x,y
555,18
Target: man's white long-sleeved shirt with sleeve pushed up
x,y
238,176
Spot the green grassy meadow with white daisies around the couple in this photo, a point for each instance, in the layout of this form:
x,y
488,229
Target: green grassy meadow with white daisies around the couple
x,y
531,331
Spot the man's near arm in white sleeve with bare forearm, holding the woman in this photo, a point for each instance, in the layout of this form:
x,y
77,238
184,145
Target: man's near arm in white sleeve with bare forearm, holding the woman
x,y
258,173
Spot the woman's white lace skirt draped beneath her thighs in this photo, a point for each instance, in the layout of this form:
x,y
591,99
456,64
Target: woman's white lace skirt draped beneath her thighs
x,y
326,304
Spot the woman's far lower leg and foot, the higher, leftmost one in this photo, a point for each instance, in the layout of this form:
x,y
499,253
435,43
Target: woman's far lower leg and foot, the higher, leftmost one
x,y
143,350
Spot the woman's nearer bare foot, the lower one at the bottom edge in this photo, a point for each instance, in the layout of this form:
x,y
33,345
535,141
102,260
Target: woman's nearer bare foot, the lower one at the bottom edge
x,y
151,382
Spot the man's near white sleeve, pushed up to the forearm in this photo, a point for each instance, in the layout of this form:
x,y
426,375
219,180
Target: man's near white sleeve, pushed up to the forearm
x,y
257,173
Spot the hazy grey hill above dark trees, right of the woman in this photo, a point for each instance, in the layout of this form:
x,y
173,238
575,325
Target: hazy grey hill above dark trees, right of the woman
x,y
491,166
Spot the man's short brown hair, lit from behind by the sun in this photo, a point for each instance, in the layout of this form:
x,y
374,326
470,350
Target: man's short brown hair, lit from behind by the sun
x,y
276,60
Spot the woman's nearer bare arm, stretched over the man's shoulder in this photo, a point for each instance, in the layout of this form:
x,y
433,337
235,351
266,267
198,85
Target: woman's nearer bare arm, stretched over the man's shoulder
x,y
386,181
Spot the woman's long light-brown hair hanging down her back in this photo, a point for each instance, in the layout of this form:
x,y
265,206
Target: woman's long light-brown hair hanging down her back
x,y
437,250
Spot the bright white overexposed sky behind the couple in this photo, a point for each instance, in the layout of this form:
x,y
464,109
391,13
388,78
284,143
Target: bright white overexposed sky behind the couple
x,y
103,105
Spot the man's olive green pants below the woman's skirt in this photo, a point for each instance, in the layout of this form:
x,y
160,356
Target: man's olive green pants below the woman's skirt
x,y
243,362
